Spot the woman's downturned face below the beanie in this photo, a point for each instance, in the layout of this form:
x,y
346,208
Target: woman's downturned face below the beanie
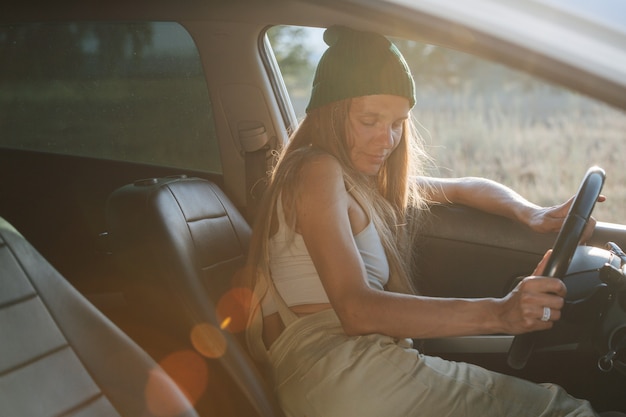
x,y
375,129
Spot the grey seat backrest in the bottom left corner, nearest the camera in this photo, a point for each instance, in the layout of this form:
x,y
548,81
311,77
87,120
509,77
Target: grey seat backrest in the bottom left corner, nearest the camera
x,y
60,356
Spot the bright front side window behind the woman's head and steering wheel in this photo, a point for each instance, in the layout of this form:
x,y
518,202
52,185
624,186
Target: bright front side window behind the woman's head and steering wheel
x,y
479,118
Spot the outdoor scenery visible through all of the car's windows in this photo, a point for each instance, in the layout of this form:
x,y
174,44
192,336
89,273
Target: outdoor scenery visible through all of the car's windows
x,y
136,92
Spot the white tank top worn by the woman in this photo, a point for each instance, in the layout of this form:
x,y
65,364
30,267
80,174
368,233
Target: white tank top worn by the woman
x,y
295,276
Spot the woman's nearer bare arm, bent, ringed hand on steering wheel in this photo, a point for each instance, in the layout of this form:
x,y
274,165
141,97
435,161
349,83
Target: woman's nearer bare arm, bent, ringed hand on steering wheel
x,y
324,211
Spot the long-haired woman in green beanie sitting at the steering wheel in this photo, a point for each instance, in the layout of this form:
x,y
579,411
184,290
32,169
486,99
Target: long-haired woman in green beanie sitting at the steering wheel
x,y
331,260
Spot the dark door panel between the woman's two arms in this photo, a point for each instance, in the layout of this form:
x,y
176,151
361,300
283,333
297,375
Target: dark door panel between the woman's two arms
x,y
463,252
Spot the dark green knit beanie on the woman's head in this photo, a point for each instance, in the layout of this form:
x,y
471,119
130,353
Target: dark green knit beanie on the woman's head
x,y
359,64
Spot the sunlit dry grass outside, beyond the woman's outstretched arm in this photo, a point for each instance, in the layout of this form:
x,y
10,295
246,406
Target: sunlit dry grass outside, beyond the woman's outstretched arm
x,y
536,143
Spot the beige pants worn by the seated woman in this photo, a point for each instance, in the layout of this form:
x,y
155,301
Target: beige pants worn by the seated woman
x,y
321,372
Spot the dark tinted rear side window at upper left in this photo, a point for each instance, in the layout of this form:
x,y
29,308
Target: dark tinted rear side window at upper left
x,y
122,91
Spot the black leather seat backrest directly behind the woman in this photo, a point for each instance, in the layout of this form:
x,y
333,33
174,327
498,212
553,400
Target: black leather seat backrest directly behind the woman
x,y
180,241
